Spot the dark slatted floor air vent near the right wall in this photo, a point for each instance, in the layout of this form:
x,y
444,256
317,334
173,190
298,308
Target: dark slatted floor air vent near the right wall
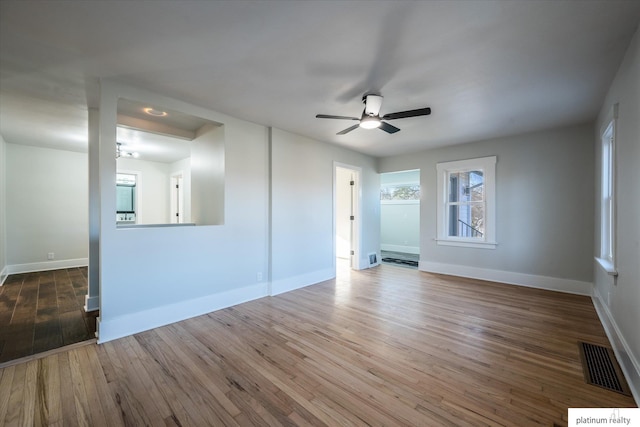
x,y
601,368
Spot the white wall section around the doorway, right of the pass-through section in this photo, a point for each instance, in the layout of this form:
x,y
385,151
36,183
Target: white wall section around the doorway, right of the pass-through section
x,y
302,209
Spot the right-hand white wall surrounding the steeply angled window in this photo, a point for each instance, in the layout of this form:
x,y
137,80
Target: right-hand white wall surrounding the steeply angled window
x,y
621,314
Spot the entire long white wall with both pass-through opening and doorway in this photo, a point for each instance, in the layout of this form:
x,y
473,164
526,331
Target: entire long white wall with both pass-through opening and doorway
x,y
155,276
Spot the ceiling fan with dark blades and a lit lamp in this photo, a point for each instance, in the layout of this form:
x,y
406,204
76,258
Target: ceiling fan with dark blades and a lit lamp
x,y
371,116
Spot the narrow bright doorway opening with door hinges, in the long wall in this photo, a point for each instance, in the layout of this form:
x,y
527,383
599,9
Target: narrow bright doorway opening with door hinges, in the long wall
x,y
347,216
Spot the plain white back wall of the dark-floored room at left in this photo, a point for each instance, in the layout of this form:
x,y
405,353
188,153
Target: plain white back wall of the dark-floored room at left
x,y
46,208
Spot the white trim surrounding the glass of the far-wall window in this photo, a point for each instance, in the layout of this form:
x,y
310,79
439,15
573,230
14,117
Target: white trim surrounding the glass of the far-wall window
x,y
488,166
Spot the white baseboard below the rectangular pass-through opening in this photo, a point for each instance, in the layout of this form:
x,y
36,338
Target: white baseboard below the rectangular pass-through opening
x,y
129,324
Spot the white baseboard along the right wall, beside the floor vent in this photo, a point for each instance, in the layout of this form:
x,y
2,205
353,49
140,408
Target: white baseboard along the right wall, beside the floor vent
x,y
628,362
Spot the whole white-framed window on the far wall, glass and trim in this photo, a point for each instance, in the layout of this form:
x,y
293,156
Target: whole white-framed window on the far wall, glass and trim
x,y
466,203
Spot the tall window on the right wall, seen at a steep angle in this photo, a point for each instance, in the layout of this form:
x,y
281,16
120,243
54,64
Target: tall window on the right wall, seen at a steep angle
x,y
607,198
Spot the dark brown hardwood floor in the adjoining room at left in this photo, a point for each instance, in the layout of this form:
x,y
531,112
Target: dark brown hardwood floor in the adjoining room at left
x,y
43,311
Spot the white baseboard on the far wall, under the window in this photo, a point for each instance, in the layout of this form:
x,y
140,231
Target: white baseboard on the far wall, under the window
x,y
509,277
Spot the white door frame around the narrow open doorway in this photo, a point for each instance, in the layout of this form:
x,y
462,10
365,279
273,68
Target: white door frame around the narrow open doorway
x,y
356,262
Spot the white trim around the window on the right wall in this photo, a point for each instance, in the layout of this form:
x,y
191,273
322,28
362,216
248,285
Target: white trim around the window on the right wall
x,y
608,229
